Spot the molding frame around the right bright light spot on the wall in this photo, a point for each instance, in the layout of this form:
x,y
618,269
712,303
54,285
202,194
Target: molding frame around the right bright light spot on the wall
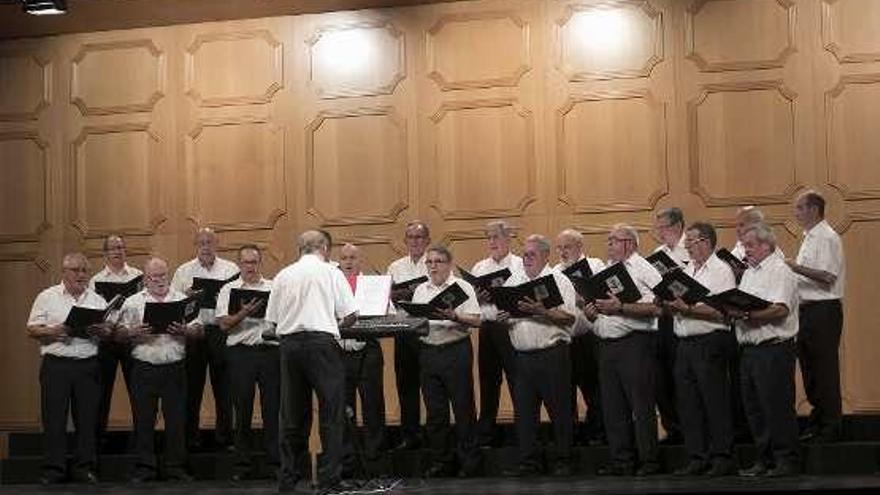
x,y
573,75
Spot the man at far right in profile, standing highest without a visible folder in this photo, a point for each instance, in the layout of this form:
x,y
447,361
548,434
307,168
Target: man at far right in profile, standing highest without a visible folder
x,y
821,271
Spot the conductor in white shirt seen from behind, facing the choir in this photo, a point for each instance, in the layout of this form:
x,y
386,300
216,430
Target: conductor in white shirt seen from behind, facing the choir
x,y
310,300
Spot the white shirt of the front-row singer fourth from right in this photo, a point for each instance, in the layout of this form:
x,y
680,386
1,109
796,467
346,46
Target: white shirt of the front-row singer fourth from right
x,y
529,334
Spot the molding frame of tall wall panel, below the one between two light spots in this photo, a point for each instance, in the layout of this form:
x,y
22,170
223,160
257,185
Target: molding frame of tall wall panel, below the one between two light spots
x,y
522,203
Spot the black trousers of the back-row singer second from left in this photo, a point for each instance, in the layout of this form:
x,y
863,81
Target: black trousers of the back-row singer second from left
x,y
203,355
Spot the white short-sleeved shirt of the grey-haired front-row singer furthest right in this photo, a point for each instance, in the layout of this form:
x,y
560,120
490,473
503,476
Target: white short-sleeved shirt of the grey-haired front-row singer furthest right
x,y
771,280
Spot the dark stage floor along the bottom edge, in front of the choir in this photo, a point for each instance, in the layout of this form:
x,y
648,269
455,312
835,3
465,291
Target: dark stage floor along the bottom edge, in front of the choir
x,y
510,486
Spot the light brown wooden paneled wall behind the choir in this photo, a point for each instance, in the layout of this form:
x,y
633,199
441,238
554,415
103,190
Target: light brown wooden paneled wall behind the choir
x,y
547,113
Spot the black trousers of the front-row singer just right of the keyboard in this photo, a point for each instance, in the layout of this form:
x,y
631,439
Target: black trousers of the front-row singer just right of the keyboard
x,y
447,379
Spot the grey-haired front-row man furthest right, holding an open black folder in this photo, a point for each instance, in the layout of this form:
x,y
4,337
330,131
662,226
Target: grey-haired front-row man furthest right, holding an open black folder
x,y
766,338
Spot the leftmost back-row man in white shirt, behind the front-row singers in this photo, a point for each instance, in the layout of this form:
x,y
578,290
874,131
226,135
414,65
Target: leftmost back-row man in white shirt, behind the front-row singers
x,y
112,352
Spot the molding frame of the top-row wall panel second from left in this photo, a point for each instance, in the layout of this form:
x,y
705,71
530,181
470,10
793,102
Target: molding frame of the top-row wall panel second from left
x,y
79,100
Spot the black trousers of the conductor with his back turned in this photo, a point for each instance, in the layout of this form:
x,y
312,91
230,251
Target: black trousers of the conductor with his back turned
x,y
311,361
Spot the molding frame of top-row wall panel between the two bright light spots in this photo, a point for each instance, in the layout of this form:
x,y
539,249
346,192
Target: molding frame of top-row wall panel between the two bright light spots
x,y
504,81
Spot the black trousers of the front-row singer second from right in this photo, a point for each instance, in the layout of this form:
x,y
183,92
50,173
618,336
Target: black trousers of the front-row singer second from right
x,y
701,379
